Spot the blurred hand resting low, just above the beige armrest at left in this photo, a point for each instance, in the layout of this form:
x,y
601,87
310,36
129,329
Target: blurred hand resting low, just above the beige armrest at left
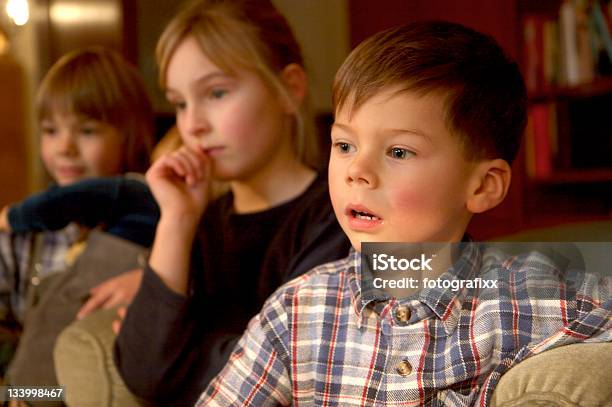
x,y
114,291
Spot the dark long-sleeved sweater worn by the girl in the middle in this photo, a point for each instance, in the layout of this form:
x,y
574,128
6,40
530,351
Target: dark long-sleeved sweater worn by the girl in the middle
x,y
171,346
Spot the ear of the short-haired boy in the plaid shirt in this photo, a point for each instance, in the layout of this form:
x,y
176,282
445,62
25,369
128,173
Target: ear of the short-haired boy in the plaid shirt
x,y
490,185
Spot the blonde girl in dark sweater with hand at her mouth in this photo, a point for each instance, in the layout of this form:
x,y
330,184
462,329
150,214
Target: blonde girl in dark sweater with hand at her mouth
x,y
234,72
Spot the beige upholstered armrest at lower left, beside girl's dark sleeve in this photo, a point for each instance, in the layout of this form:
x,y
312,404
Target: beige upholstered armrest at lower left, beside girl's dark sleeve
x,y
84,363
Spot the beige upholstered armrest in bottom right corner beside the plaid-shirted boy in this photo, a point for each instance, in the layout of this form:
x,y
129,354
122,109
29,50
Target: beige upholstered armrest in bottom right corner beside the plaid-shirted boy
x,y
573,375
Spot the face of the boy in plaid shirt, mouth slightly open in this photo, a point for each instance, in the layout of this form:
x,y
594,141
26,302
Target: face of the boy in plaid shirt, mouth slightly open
x,y
397,174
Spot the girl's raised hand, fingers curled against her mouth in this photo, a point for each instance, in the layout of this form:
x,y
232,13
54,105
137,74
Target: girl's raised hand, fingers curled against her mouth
x,y
180,182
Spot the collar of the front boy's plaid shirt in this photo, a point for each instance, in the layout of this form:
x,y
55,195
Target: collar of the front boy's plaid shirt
x,y
446,304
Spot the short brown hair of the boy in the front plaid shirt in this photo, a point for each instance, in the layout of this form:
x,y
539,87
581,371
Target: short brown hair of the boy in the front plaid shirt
x,y
485,94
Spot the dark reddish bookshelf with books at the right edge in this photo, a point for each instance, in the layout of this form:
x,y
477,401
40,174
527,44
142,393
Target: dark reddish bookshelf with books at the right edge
x,y
566,57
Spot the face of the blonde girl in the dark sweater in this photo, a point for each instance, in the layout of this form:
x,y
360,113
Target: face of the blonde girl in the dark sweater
x,y
235,119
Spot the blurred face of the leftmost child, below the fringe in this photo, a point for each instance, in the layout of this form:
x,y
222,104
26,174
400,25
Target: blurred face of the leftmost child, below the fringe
x,y
74,147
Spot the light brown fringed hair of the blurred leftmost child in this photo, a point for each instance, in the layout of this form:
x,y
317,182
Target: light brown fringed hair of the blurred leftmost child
x,y
100,84
